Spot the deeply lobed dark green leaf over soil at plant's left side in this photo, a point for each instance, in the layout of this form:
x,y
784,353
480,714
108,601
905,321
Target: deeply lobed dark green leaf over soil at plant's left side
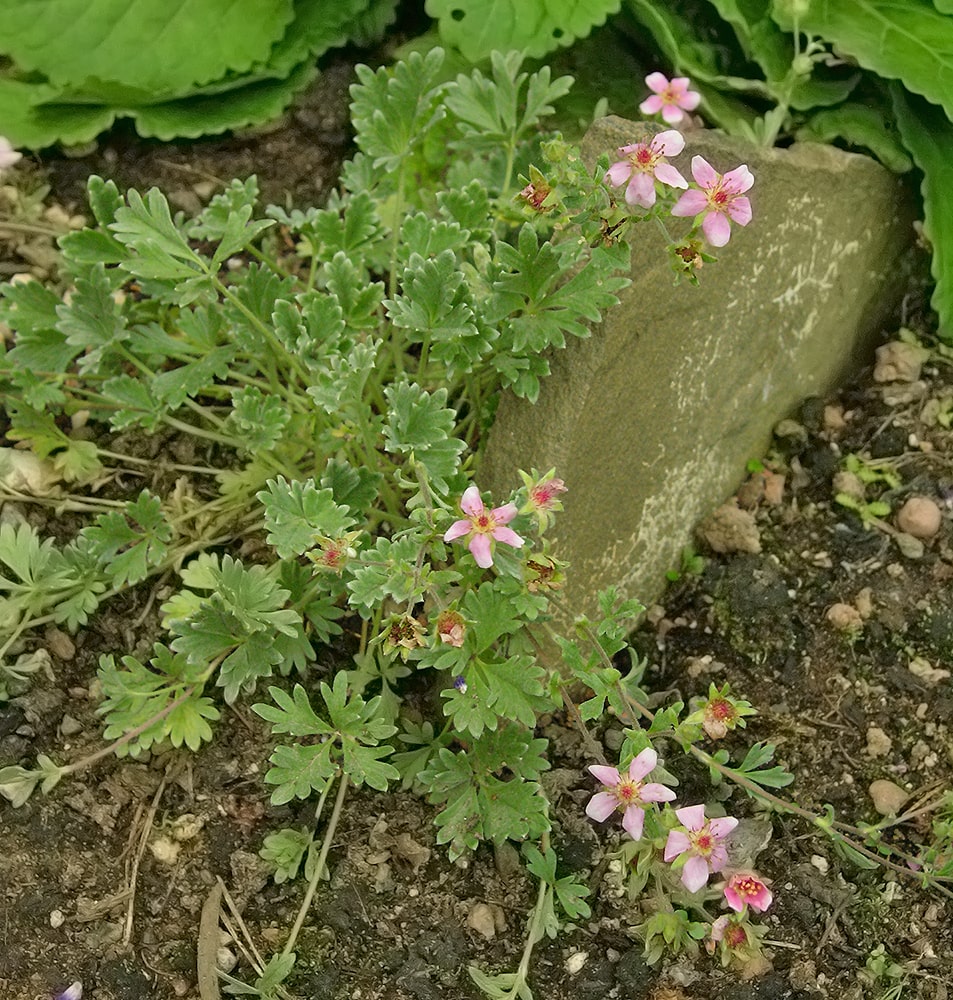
x,y
133,541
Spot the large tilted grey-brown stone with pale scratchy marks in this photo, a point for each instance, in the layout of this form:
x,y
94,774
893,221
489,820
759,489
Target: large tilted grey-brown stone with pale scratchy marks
x,y
651,420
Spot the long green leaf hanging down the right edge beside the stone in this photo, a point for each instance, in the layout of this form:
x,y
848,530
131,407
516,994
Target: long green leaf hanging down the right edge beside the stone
x,y
928,136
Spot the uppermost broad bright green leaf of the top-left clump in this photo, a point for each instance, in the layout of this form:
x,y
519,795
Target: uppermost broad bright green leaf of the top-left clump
x,y
160,45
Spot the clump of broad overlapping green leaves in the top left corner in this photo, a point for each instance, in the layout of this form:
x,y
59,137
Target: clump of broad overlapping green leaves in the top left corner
x,y
184,69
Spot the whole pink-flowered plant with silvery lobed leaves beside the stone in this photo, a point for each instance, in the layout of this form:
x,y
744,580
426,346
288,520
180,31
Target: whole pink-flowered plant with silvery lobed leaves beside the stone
x,y
314,387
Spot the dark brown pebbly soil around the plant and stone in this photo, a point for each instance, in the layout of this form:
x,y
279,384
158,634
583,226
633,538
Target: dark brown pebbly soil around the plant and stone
x,y
84,899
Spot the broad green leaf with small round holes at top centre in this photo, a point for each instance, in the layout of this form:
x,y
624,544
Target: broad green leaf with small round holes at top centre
x,y
477,27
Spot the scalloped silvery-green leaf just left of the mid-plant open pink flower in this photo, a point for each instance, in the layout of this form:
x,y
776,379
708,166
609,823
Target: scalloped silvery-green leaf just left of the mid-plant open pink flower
x,y
296,513
